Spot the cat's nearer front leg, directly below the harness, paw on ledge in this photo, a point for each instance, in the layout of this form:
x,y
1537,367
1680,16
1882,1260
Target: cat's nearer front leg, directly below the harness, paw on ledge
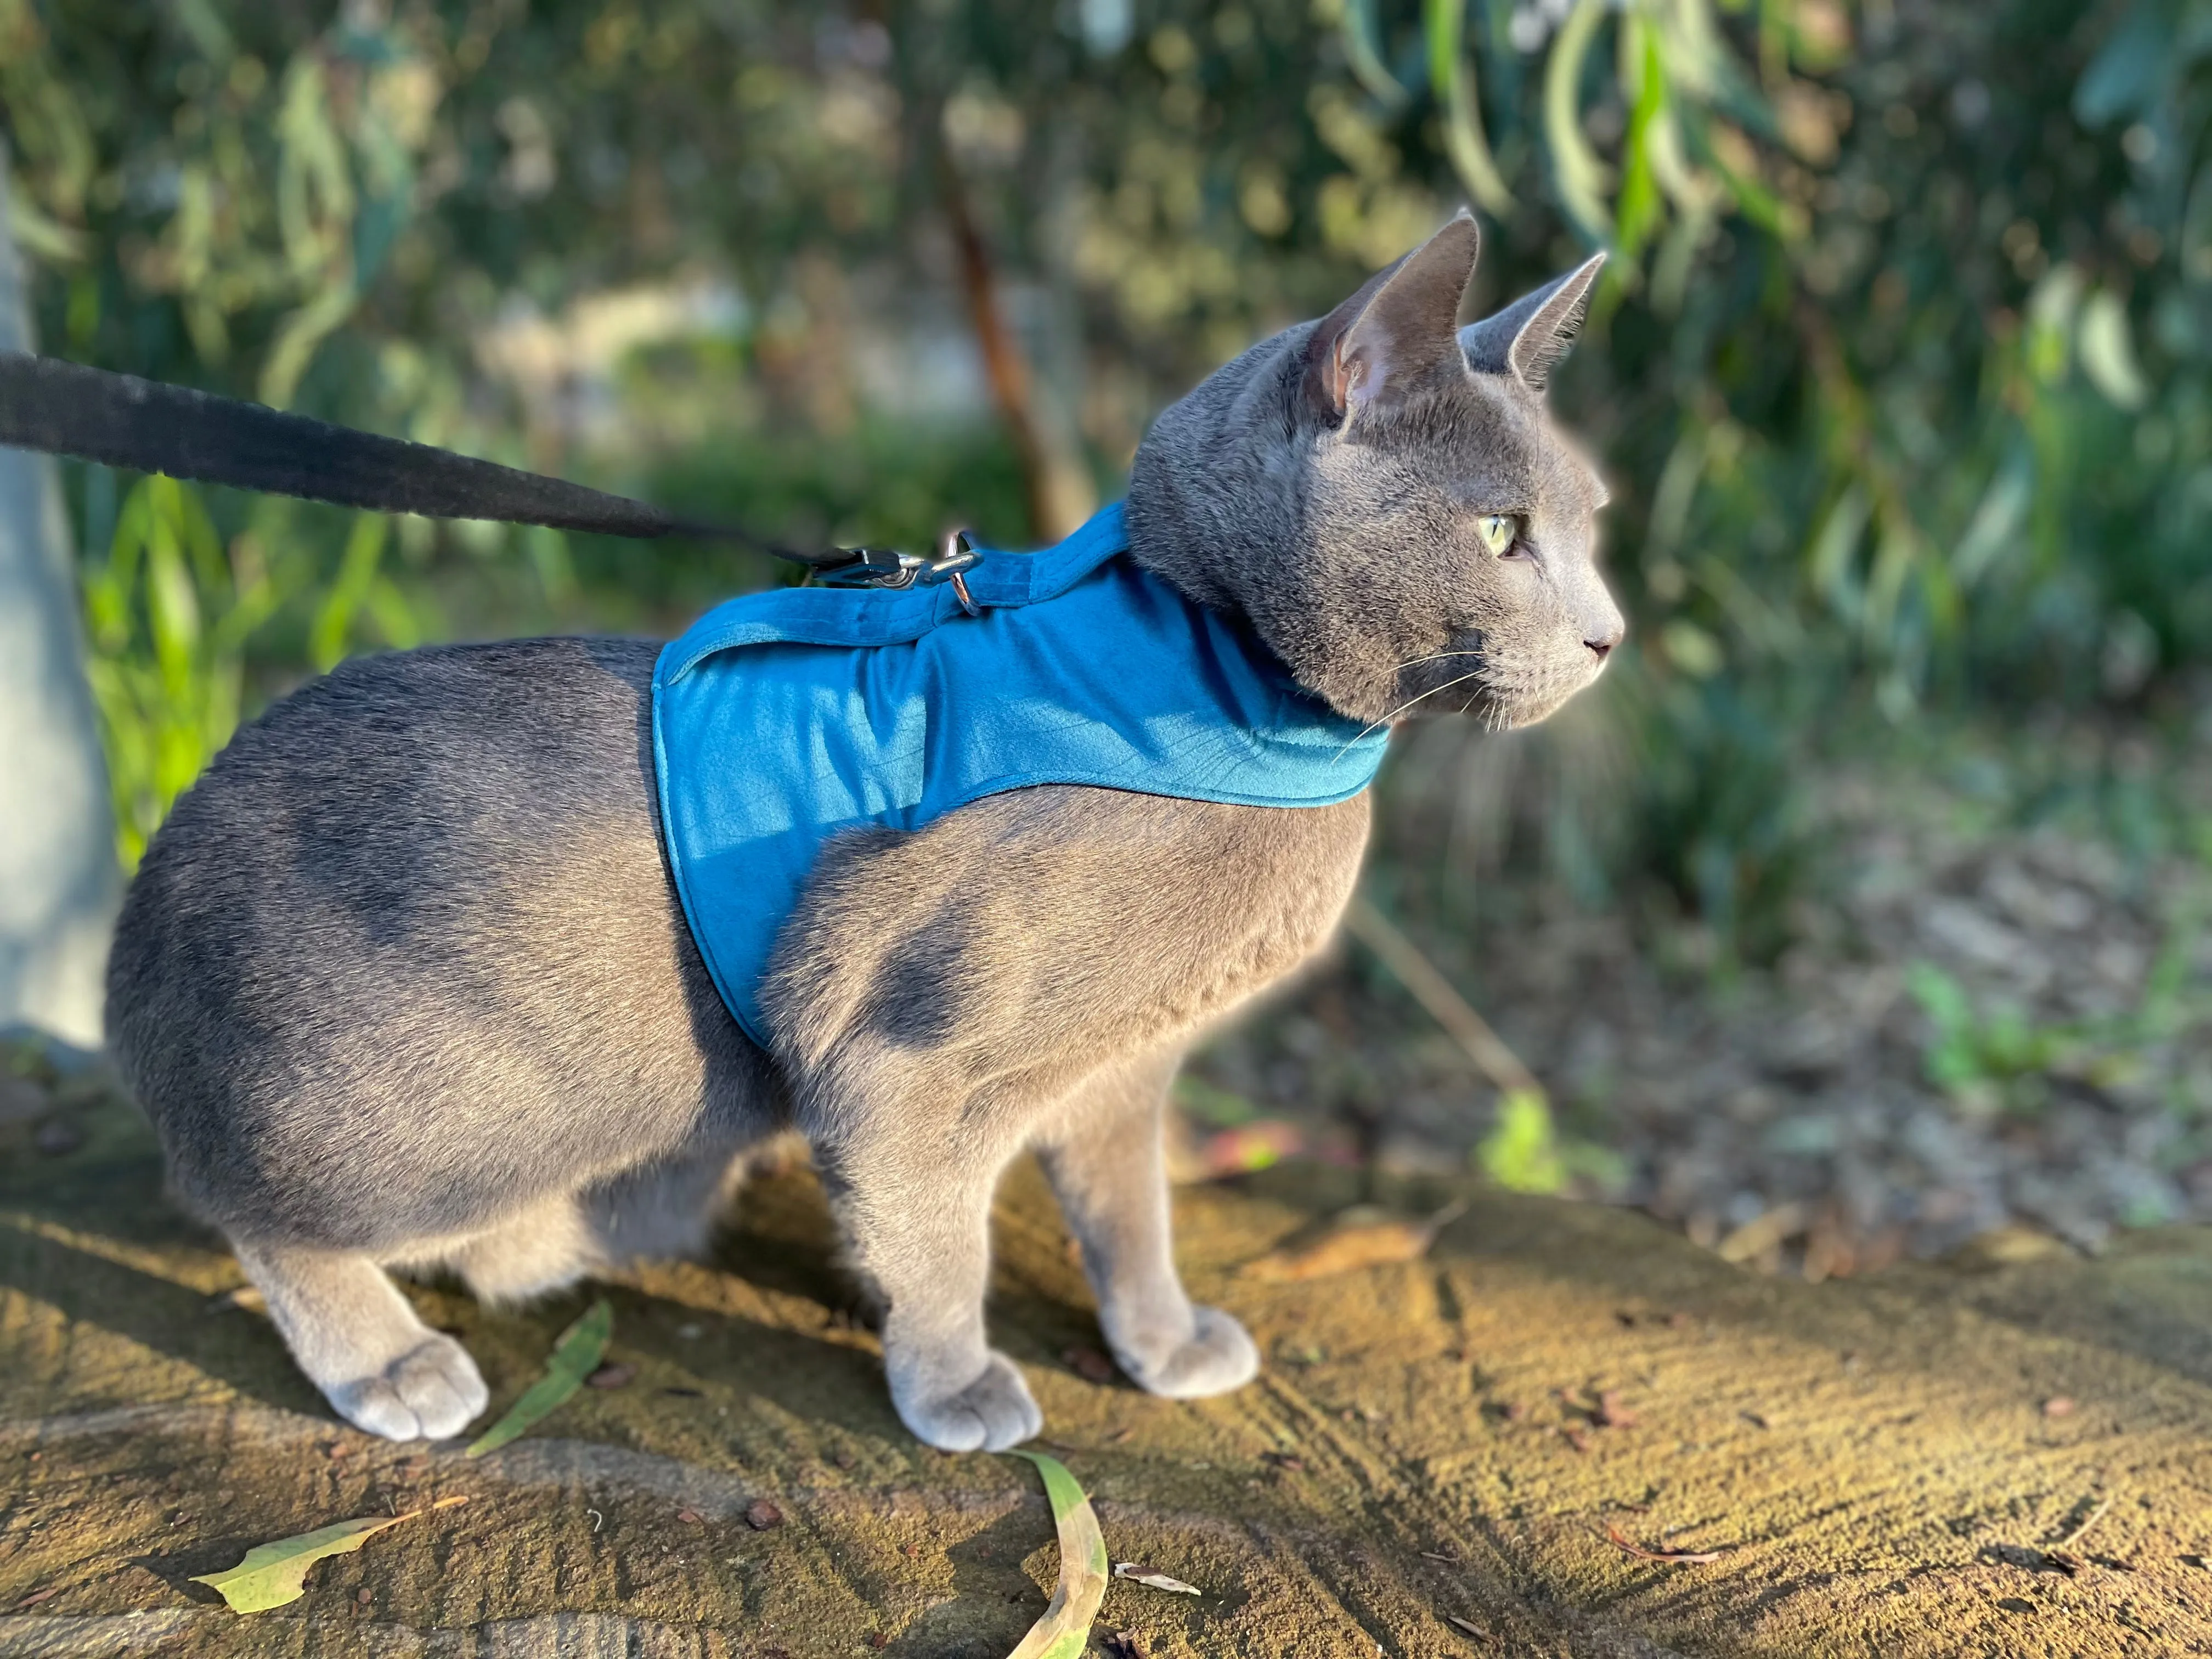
x,y
915,1200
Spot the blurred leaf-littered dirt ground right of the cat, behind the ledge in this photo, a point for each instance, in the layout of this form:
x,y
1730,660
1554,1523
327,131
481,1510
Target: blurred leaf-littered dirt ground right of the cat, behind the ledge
x,y
2058,886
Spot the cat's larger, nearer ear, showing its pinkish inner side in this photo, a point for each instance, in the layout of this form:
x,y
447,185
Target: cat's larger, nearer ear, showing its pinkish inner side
x,y
1395,331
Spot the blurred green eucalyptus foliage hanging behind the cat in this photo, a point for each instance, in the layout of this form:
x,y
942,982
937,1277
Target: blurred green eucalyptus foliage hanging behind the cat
x,y
1899,364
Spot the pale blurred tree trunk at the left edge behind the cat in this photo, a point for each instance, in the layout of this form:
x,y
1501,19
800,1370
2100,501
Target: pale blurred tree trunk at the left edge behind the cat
x,y
59,879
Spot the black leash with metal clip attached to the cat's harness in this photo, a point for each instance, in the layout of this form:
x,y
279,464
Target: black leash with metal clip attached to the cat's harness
x,y
154,428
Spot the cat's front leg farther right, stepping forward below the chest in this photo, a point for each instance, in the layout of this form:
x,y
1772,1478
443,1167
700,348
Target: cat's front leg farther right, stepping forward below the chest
x,y
1105,1160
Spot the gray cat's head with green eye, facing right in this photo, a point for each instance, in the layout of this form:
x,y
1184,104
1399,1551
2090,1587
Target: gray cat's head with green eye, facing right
x,y
1388,501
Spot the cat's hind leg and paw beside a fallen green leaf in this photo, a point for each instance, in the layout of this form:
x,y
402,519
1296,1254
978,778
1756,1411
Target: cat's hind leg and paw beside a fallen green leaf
x,y
359,1342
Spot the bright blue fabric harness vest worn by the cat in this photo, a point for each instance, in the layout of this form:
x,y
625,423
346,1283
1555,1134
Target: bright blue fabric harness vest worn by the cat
x,y
786,718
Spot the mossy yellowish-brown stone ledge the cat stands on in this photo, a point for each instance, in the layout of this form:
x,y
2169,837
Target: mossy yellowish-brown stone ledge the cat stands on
x,y
1432,1463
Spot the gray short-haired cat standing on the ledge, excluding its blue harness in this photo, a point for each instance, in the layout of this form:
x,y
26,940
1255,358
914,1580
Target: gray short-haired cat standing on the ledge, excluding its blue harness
x,y
404,981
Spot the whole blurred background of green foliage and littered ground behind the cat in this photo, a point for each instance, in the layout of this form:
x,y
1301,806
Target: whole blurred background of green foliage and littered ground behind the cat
x,y
1855,912
